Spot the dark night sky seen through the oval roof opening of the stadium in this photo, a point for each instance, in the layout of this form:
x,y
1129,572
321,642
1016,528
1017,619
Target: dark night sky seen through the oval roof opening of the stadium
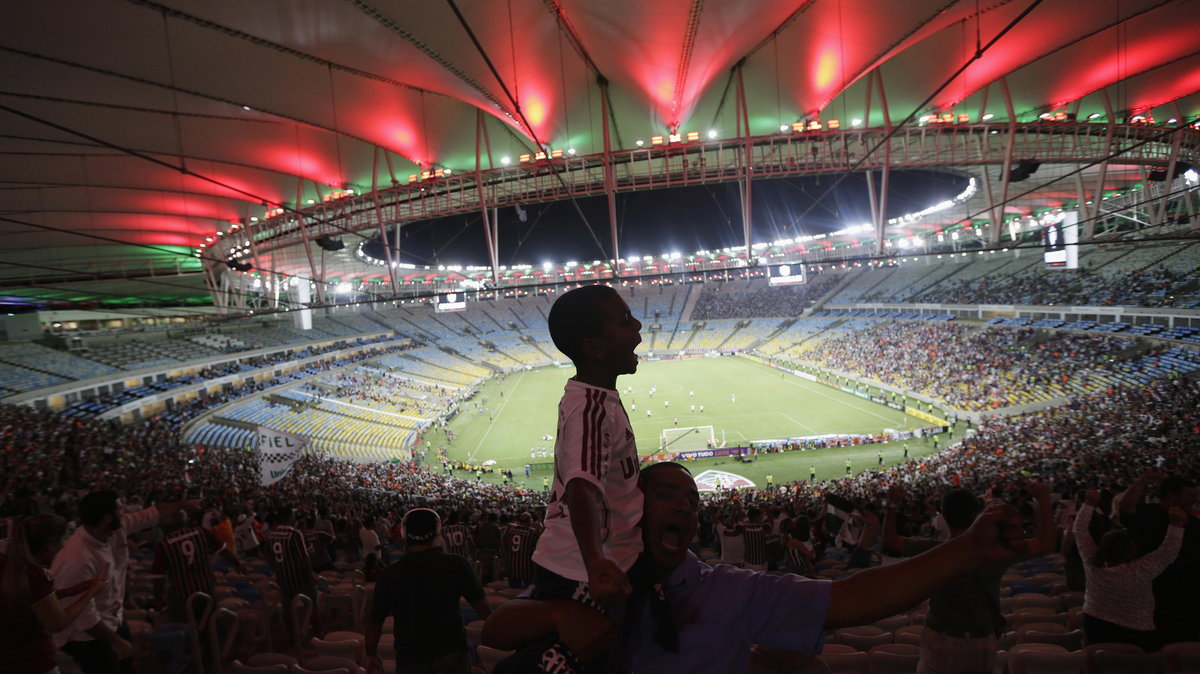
x,y
681,220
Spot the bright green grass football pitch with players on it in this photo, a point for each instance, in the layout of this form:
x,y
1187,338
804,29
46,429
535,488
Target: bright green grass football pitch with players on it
x,y
743,400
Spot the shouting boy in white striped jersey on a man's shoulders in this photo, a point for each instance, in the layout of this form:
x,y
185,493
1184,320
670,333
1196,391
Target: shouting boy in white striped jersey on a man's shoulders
x,y
592,539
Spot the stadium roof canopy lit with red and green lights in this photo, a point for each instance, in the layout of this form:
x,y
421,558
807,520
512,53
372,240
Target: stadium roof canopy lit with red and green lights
x,y
133,130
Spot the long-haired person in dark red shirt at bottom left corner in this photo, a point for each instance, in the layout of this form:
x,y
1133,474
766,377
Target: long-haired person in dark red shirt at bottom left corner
x,y
29,607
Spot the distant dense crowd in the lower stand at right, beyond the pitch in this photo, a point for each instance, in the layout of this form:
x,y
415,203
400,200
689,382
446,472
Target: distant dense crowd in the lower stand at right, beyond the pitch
x,y
969,369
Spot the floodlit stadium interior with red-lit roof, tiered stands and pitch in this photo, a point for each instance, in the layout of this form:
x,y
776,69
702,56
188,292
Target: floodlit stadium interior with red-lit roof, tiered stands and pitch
x,y
935,245
